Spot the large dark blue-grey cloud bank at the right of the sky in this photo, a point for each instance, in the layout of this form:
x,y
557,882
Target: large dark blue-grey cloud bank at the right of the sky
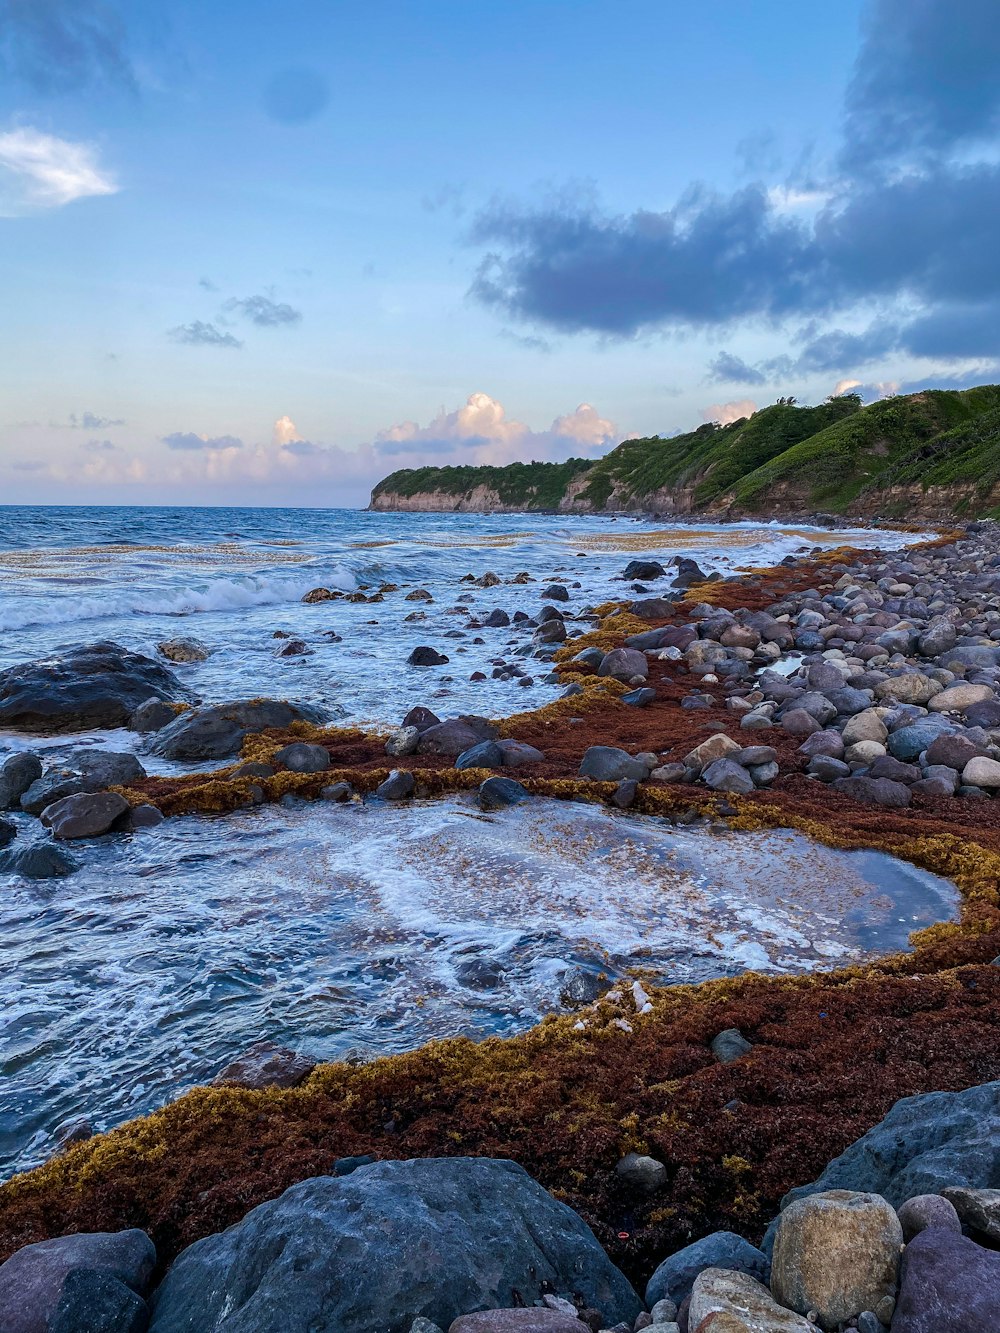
x,y
907,225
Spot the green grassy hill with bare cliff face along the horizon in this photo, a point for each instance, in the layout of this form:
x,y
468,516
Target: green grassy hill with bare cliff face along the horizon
x,y
931,453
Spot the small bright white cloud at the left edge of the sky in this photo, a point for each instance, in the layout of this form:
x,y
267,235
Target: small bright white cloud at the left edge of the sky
x,y
41,171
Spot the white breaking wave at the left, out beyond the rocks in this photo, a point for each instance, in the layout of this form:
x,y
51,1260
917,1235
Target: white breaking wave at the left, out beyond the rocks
x,y
214,595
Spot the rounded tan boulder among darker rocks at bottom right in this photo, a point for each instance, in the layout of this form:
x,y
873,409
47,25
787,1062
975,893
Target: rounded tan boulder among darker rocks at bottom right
x,y
837,1254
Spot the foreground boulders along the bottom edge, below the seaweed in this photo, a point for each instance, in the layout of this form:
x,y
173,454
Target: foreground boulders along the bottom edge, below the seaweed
x,y
898,1235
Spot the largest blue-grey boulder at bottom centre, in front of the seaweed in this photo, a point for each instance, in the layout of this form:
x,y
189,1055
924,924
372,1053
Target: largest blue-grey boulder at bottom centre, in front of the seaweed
x,y
387,1244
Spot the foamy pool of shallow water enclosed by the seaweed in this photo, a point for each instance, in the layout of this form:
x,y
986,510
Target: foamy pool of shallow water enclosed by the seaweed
x,y
351,928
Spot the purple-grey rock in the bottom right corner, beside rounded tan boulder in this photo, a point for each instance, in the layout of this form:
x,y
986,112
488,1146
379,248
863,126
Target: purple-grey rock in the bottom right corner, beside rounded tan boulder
x,y
949,1283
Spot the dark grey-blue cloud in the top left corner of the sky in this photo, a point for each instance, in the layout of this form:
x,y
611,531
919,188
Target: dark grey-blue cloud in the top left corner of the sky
x,y
65,46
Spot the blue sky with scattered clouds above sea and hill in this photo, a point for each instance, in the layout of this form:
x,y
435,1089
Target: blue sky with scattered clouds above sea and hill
x,y
269,254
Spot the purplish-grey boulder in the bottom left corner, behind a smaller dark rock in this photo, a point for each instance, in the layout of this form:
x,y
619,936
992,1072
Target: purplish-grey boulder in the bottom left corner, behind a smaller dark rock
x,y
33,1280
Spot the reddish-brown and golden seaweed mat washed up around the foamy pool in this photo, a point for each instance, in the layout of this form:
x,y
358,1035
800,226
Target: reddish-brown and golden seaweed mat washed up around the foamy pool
x,y
842,1048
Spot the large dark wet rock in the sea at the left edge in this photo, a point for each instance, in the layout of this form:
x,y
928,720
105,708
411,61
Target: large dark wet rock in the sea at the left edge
x,y
98,686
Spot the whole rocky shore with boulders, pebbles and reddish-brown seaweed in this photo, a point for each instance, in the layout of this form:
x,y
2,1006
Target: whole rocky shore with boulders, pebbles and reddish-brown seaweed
x,y
659,1115
